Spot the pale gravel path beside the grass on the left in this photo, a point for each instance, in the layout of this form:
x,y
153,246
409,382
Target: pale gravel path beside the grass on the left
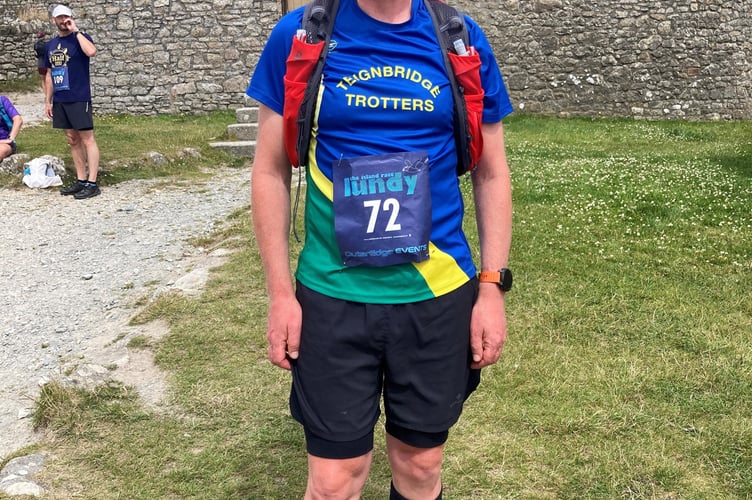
x,y
72,271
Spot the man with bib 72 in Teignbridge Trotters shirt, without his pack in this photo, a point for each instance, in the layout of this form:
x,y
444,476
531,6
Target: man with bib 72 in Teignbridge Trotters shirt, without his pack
x,y
385,300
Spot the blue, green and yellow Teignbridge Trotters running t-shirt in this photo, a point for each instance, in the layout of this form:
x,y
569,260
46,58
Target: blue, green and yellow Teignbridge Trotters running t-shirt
x,y
385,90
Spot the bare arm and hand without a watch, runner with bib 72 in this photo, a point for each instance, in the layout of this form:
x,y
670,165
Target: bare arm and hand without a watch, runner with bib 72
x,y
270,204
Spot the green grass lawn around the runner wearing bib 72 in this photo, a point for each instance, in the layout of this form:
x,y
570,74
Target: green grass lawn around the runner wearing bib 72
x,y
627,372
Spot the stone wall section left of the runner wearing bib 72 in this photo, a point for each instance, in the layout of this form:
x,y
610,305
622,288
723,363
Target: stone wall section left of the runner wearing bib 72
x,y
161,56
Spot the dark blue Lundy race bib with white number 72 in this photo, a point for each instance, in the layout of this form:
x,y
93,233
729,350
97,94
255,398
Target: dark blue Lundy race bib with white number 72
x,y
382,209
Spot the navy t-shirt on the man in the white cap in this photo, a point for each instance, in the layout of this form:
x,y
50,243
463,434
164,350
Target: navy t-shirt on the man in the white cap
x,y
69,69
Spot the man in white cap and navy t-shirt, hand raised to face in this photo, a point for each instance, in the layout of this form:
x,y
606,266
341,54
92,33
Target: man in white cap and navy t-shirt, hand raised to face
x,y
68,99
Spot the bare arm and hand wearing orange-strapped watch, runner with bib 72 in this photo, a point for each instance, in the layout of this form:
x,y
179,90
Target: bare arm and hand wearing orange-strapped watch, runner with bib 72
x,y
492,190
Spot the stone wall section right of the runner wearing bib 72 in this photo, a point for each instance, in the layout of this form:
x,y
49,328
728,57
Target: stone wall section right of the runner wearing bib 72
x,y
636,58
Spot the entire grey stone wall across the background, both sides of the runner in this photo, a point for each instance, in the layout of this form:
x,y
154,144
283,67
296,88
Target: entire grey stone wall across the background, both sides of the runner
x,y
634,58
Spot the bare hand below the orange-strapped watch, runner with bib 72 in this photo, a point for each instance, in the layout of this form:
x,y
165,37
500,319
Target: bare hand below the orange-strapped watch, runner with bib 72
x,y
488,326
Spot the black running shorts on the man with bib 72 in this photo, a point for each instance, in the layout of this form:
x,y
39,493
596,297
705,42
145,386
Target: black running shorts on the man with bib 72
x,y
417,355
